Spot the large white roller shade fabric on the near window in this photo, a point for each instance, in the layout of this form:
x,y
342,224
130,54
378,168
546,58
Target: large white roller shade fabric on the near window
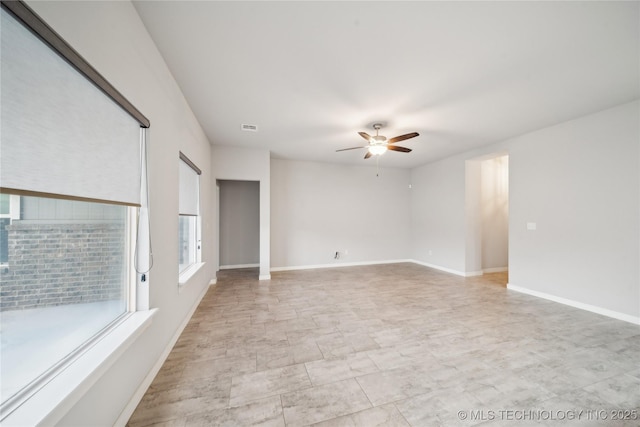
x,y
60,133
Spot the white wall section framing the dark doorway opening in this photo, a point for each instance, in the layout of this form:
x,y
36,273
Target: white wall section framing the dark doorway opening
x,y
242,164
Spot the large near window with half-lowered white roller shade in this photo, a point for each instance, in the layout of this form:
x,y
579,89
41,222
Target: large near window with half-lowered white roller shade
x,y
70,177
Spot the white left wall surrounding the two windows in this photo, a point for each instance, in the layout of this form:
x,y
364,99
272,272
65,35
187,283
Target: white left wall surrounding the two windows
x,y
112,38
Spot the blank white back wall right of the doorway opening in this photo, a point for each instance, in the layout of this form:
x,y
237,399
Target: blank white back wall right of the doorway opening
x,y
319,209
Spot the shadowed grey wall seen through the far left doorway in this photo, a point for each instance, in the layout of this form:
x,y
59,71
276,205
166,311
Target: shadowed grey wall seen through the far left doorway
x,y
239,223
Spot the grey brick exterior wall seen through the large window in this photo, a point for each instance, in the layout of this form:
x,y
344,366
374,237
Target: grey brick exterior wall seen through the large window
x,y
57,264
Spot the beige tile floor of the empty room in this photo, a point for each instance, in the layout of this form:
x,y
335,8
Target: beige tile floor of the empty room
x,y
393,345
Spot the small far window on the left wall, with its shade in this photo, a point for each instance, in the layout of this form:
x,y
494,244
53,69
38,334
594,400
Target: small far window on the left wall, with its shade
x,y
188,218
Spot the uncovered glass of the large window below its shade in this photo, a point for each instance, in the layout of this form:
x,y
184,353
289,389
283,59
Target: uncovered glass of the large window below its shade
x,y
64,281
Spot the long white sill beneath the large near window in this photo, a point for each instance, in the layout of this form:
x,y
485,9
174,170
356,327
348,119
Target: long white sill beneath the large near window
x,y
49,404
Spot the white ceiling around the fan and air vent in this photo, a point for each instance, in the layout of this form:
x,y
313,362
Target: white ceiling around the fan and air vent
x,y
311,75
